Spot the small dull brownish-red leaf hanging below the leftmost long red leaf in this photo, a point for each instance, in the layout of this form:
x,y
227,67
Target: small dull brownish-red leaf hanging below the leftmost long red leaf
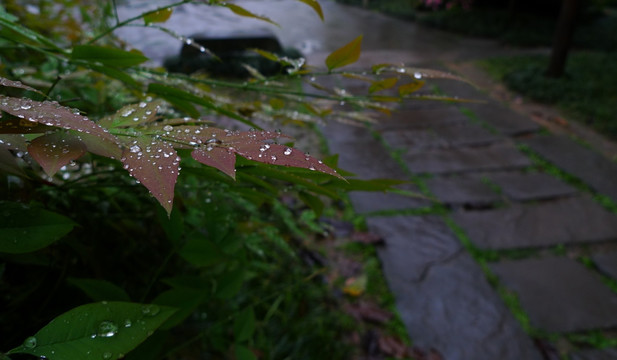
x,y
55,150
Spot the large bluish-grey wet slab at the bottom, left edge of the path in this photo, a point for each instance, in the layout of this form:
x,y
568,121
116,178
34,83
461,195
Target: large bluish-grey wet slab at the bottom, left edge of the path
x,y
442,295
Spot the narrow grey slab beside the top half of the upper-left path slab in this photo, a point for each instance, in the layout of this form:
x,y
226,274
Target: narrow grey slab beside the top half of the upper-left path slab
x,y
441,136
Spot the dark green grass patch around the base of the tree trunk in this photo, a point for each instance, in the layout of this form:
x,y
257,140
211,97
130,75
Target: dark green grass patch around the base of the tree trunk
x,y
587,92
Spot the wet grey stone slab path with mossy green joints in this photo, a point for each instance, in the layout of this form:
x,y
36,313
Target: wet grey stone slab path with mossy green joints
x,y
488,201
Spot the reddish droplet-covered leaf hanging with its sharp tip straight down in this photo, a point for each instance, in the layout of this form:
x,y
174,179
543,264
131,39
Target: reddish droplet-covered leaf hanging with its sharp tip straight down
x,y
156,165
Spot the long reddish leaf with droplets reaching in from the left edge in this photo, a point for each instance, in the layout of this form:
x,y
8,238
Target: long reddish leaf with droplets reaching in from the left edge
x,y
51,113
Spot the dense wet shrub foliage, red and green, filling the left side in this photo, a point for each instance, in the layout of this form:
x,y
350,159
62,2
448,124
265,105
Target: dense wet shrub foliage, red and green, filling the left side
x,y
133,226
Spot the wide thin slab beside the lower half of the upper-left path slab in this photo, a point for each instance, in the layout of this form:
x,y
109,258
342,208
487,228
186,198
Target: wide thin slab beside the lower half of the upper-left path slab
x,y
490,158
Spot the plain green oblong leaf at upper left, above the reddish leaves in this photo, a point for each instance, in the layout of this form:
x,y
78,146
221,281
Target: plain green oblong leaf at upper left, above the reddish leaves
x,y
107,56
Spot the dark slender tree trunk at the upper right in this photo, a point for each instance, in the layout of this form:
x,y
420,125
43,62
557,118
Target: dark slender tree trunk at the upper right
x,y
563,37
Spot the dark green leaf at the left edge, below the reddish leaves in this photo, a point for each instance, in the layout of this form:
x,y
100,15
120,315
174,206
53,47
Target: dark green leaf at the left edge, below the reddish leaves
x,y
25,229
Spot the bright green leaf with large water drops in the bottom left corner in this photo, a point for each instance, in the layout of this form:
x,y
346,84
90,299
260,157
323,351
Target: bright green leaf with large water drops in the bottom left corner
x,y
98,331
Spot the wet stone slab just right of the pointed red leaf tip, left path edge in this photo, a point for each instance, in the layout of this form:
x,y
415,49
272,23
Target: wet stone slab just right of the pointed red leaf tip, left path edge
x,y
360,153
